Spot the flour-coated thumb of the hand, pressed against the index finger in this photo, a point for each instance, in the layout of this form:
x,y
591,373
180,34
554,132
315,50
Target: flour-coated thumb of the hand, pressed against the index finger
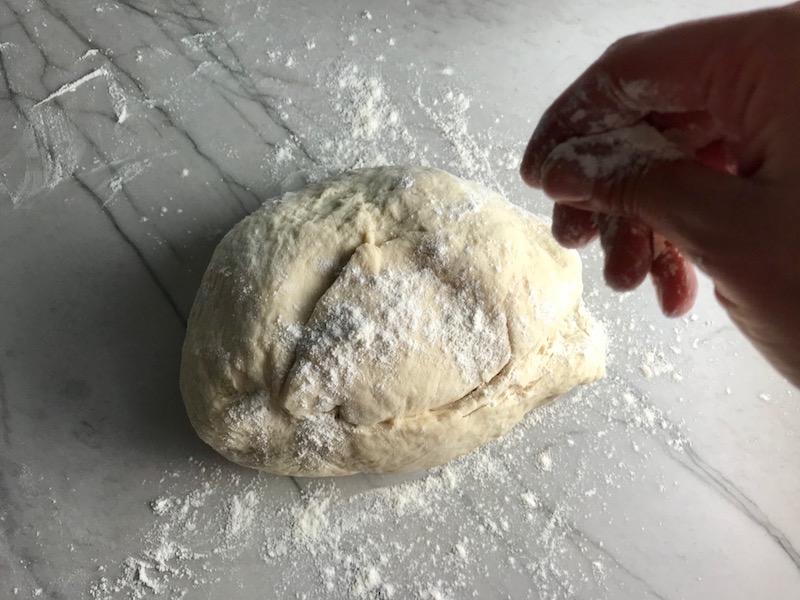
x,y
702,211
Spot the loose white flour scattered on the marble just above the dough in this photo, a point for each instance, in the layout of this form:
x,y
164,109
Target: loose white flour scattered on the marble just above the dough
x,y
386,119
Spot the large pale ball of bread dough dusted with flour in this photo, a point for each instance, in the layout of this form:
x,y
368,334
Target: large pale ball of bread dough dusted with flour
x,y
387,320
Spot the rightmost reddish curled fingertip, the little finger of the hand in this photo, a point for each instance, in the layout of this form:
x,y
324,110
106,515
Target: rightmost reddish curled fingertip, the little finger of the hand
x,y
674,278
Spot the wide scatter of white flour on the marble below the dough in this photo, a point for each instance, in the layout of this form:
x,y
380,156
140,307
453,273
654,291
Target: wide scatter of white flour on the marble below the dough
x,y
525,506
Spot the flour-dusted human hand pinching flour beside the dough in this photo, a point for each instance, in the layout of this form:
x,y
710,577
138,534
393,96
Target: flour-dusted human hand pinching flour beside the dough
x,y
726,92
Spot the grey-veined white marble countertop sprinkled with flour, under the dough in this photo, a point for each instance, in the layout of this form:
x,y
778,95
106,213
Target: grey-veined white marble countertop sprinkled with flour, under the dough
x,y
135,133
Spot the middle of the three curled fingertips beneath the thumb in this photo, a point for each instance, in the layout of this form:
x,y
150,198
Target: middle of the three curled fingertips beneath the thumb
x,y
628,247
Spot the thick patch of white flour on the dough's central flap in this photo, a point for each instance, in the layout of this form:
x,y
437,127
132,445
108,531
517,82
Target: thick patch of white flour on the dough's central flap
x,y
417,312
